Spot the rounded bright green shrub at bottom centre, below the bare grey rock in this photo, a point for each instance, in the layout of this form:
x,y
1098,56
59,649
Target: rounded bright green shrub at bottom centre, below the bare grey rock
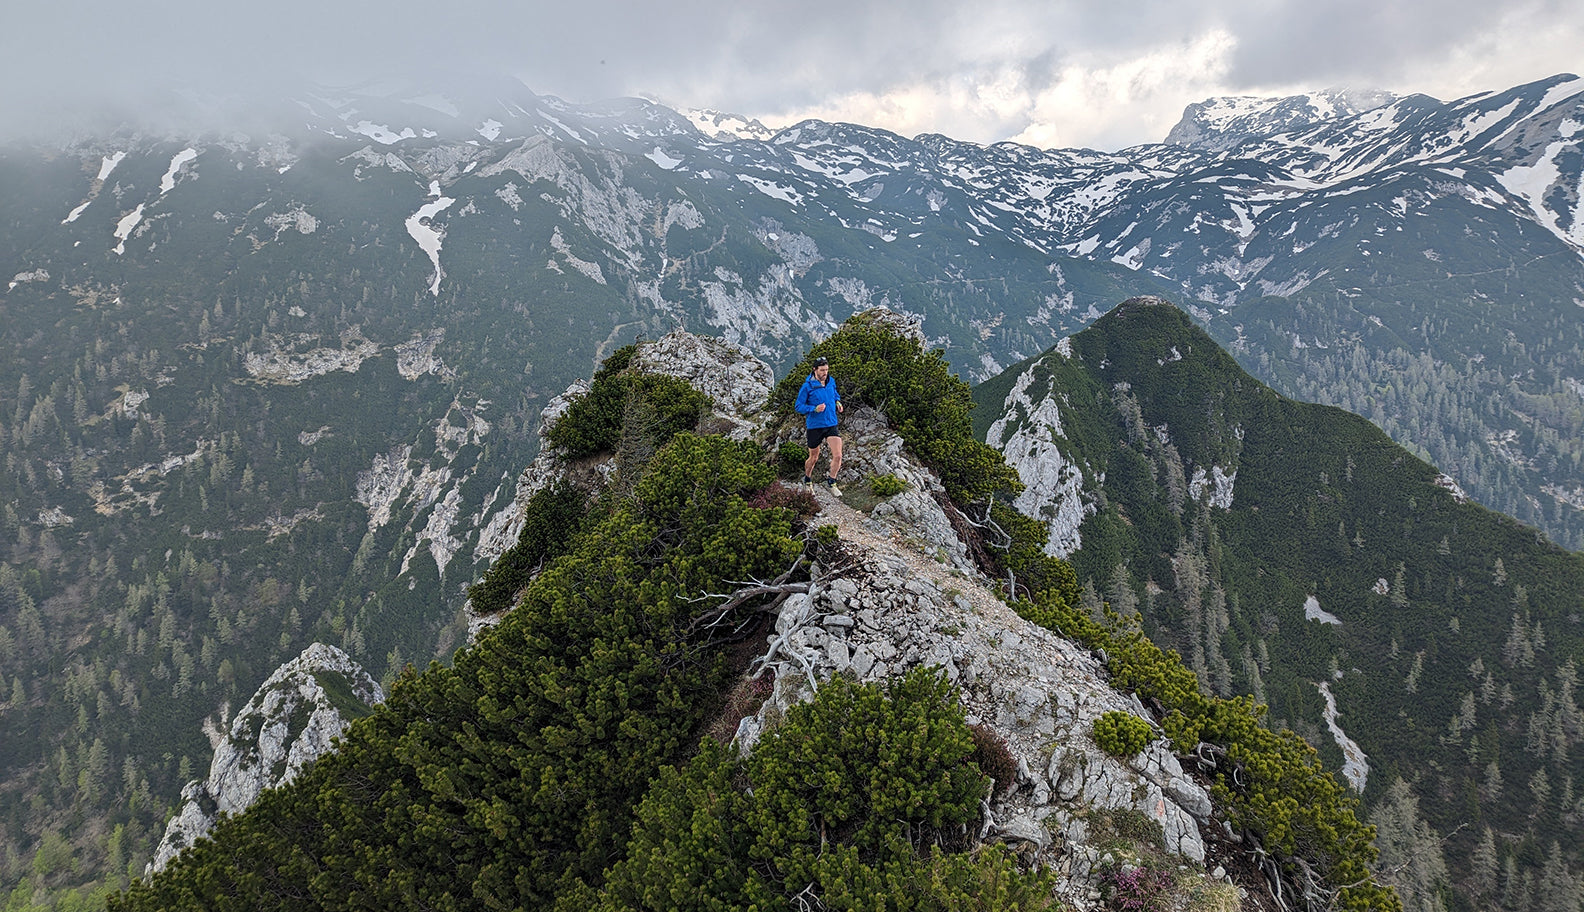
x,y
858,800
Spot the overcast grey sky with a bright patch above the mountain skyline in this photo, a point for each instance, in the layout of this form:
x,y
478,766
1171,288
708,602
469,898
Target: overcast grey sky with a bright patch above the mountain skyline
x,y
1053,74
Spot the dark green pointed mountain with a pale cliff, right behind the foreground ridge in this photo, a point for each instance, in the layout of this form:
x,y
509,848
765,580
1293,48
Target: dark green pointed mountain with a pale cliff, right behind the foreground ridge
x,y
1295,553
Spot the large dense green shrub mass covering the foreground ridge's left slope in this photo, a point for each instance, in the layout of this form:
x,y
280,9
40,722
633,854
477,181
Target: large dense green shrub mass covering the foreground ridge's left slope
x,y
512,778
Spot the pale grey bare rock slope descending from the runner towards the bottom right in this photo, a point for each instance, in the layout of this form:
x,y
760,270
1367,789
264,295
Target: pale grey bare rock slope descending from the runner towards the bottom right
x,y
901,609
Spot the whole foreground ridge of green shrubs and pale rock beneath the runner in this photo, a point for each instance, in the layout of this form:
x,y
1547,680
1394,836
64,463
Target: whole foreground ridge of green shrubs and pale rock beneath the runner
x,y
555,762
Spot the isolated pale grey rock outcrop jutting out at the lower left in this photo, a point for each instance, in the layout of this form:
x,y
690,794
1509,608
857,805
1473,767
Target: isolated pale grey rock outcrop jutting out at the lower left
x,y
289,723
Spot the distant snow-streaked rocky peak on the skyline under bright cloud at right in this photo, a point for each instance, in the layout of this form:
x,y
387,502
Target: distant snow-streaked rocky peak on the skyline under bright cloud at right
x,y
1224,123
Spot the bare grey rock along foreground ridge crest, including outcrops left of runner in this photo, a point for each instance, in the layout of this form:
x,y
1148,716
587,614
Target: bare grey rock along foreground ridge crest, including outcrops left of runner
x,y
908,595
